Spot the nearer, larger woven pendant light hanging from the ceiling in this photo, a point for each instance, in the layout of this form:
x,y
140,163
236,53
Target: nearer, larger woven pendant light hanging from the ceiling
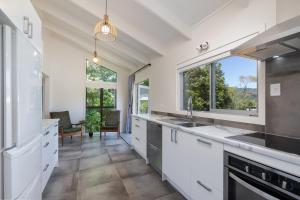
x,y
104,29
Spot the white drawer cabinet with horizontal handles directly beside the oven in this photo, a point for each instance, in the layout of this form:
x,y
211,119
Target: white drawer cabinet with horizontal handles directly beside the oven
x,y
206,168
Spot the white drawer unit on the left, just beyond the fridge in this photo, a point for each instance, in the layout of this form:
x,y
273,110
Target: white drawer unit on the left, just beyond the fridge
x,y
49,152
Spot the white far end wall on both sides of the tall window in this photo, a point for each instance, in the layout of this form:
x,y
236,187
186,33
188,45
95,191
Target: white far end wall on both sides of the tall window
x,y
64,63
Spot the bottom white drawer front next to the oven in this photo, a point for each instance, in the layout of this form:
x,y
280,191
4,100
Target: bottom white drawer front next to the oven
x,y
200,191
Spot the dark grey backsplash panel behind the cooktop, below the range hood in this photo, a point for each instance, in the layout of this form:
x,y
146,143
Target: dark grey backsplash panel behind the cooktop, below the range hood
x,y
283,112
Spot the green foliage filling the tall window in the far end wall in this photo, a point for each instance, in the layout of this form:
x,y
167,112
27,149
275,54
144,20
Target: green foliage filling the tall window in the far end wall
x,y
100,93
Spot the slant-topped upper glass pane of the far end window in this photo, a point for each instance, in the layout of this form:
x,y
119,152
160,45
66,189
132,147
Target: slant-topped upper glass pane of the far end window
x,y
95,72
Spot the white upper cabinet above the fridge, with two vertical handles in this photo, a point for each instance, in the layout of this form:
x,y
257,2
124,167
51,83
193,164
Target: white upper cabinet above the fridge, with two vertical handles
x,y
24,16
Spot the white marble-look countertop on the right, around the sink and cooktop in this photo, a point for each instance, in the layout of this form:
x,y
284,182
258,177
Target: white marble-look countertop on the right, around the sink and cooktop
x,y
220,133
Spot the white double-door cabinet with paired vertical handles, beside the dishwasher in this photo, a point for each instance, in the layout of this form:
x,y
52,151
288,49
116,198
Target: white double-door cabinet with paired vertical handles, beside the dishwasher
x,y
176,158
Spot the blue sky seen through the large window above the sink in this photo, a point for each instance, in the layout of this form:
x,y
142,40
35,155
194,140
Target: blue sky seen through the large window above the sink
x,y
234,67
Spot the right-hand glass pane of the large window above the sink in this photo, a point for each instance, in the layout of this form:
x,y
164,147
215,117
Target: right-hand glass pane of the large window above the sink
x,y
235,85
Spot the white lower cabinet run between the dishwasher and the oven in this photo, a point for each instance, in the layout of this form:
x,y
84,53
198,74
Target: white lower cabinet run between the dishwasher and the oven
x,y
193,165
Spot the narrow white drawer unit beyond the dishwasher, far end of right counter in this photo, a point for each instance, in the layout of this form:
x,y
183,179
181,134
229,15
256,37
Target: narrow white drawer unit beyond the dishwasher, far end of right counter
x,y
139,136
